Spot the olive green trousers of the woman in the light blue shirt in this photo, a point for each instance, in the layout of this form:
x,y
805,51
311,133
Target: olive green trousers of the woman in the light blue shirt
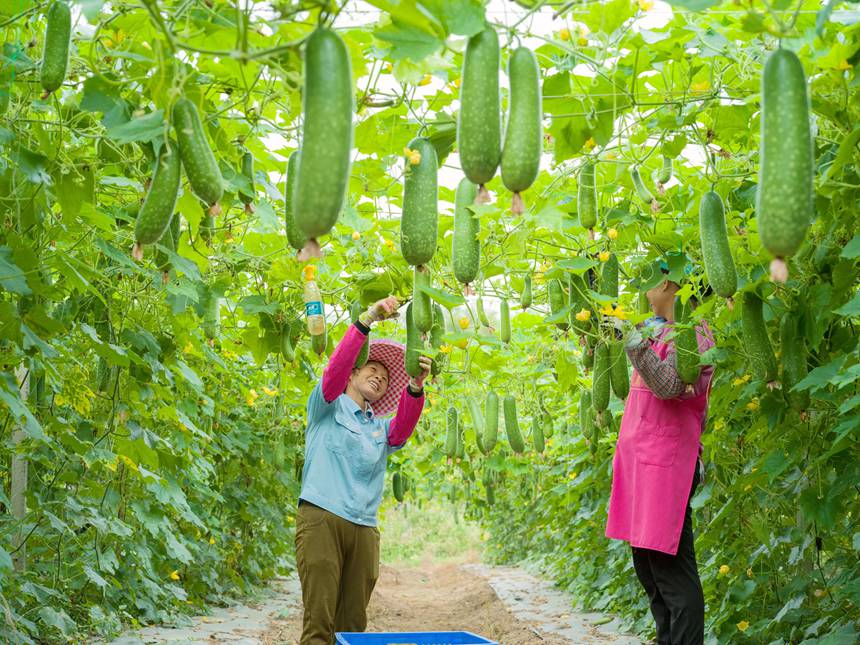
x,y
338,564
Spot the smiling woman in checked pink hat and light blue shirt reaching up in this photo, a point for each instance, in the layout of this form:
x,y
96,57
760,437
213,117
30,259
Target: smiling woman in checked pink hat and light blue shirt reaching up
x,y
347,443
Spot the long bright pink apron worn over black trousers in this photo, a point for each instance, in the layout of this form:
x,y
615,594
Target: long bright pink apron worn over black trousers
x,y
655,459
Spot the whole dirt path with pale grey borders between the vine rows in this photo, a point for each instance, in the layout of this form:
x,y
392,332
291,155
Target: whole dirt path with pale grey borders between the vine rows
x,y
505,604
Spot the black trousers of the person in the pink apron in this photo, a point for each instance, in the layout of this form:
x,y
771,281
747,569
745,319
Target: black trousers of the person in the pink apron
x,y
673,586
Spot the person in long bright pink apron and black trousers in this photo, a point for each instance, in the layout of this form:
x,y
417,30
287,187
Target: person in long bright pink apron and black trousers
x,y
656,470
